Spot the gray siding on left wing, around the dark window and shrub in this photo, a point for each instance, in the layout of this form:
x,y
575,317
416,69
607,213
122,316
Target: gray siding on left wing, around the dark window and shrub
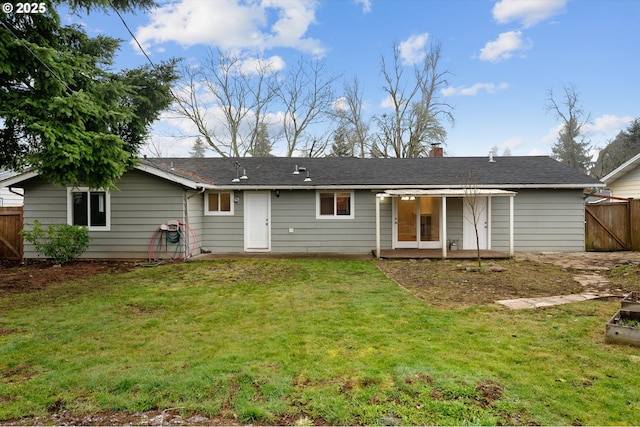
x,y
138,207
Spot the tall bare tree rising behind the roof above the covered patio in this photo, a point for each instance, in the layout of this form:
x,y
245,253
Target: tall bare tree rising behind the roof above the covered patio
x,y
417,112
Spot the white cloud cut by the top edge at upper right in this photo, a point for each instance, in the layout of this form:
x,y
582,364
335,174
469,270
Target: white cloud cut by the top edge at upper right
x,y
528,12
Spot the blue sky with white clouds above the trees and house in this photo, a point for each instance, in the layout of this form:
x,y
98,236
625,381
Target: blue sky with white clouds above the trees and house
x,y
504,56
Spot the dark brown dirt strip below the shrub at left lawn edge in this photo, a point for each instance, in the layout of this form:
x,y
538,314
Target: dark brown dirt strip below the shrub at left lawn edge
x,y
36,275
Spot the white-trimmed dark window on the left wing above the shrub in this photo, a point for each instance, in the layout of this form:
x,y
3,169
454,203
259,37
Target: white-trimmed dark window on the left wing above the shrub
x,y
90,208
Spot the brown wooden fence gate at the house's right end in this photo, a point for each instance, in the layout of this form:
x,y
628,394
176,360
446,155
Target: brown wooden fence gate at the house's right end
x,y
613,226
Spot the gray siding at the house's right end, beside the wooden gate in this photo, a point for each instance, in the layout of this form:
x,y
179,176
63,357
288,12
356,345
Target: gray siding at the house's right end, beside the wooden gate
x,y
544,220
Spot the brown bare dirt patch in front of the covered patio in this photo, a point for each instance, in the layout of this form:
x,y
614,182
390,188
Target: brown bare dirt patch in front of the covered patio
x,y
456,284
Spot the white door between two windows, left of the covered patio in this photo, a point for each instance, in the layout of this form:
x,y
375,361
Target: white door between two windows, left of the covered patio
x,y
257,221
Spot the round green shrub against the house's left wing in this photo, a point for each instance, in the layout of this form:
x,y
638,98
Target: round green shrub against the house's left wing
x,y
61,242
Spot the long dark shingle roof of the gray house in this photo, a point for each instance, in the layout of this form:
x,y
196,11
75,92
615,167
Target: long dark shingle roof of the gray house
x,y
438,172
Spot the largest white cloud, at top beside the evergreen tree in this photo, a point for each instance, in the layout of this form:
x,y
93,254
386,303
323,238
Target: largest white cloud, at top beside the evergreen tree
x,y
233,24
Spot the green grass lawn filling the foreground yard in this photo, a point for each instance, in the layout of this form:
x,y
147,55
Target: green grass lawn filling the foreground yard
x,y
312,341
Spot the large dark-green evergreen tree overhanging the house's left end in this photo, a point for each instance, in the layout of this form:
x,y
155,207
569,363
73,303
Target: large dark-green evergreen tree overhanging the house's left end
x,y
62,111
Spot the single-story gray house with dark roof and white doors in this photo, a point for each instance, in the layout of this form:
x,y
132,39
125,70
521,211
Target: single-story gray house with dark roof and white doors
x,y
321,205
